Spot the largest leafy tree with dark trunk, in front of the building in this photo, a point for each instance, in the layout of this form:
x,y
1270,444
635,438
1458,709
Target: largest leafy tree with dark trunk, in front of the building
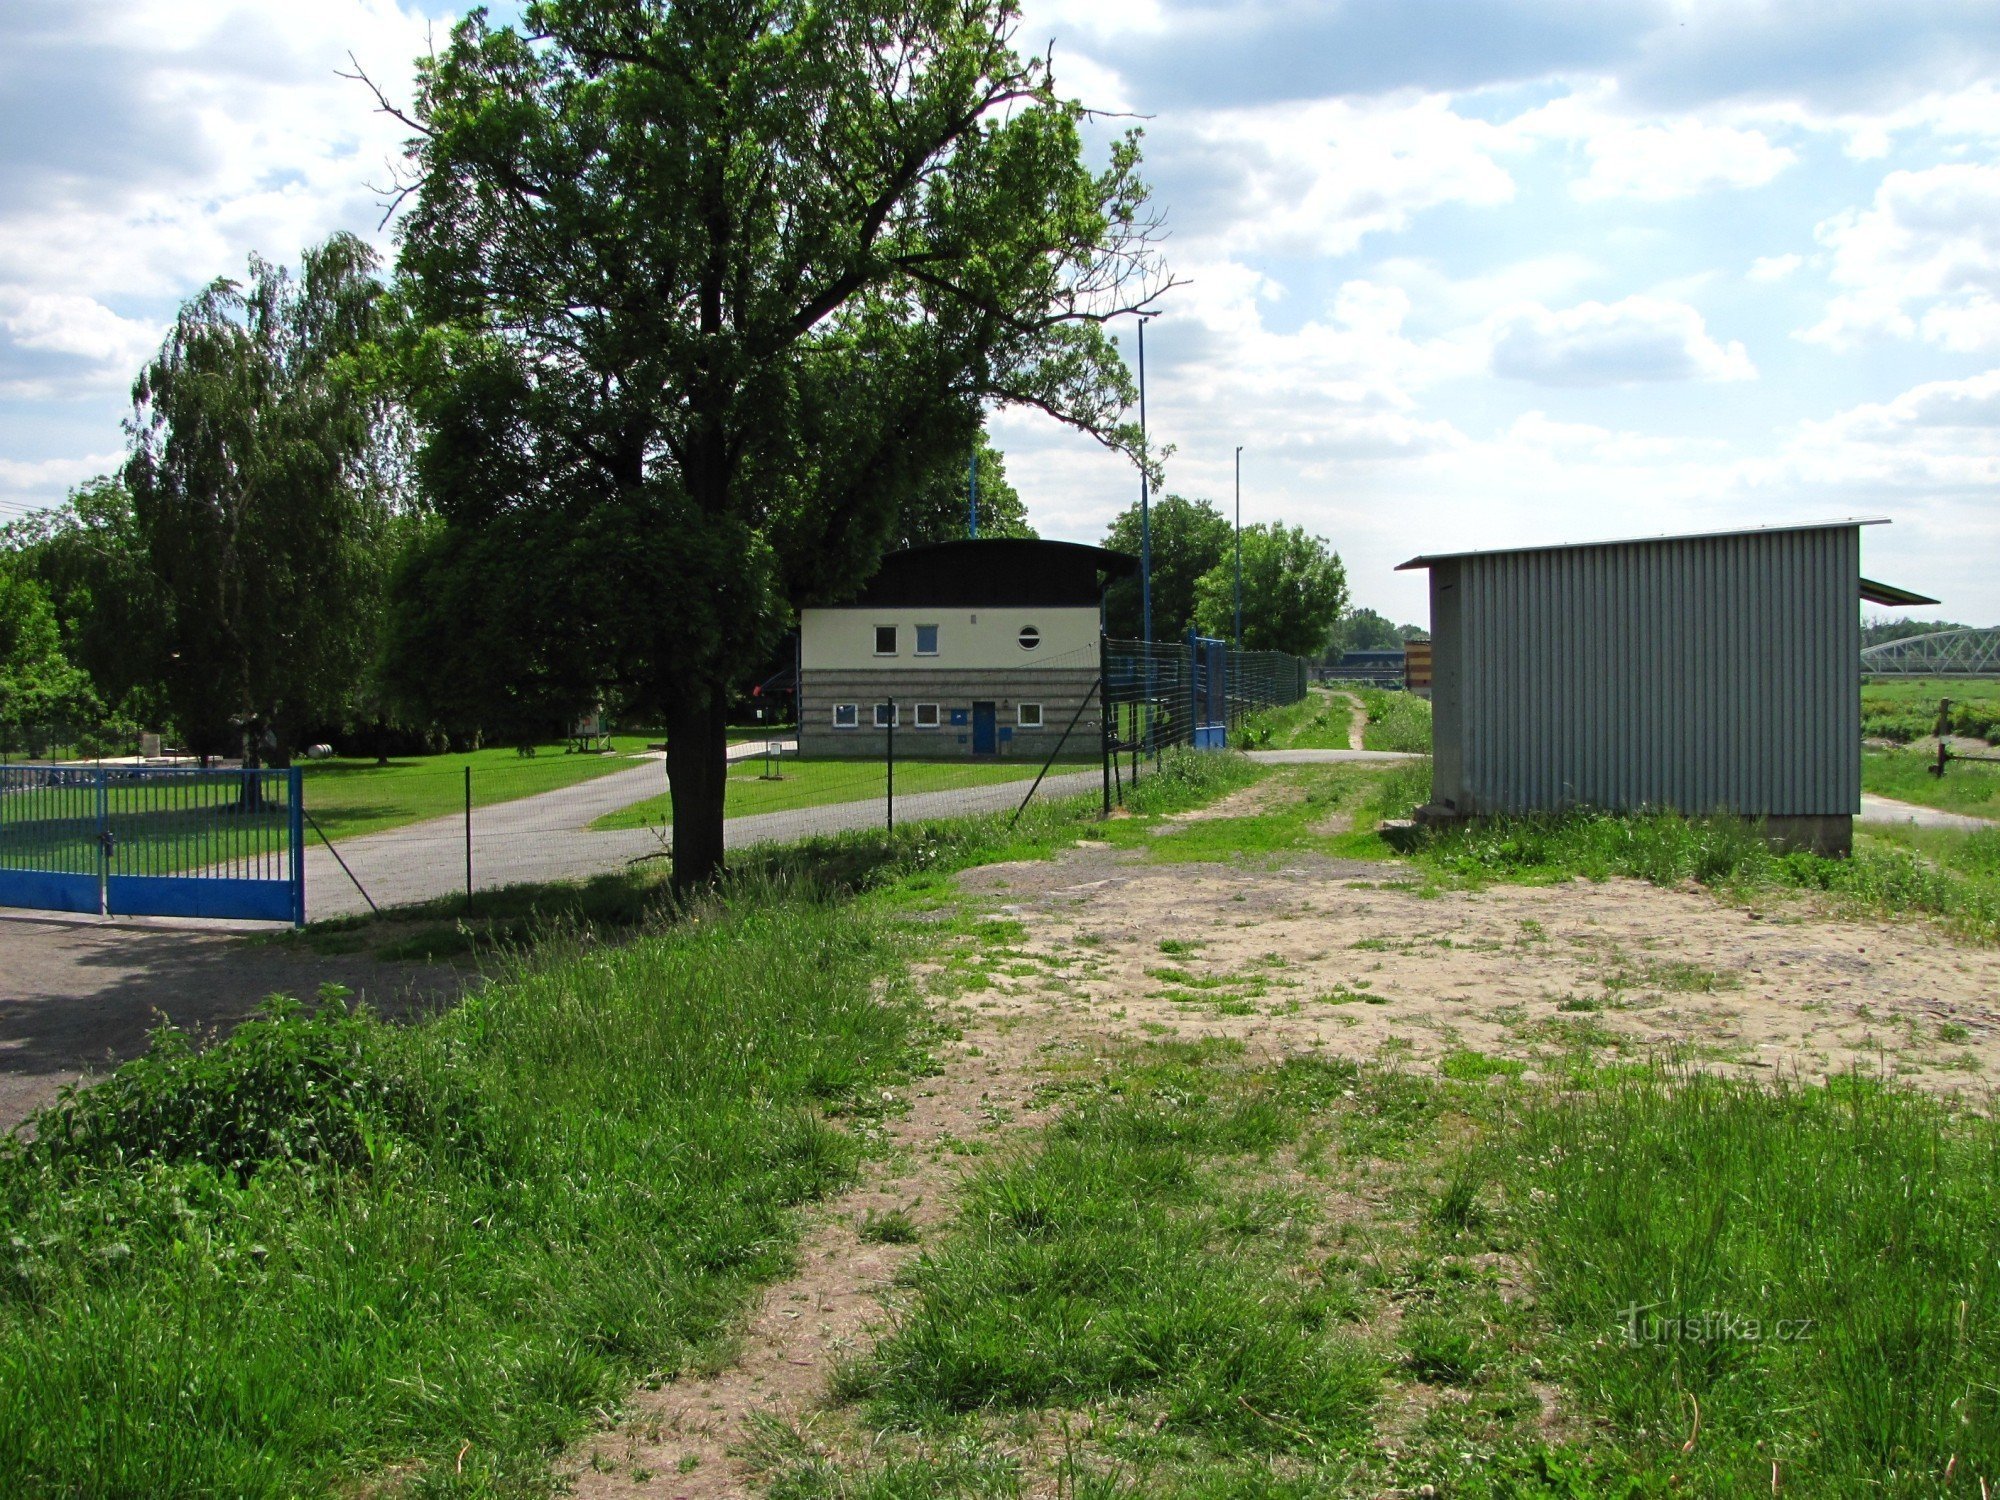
x,y
713,289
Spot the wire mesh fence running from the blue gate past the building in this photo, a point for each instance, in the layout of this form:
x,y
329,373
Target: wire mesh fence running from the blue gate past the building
x,y
391,833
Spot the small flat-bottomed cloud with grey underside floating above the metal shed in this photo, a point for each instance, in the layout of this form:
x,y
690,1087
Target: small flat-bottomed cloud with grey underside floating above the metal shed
x,y
1639,339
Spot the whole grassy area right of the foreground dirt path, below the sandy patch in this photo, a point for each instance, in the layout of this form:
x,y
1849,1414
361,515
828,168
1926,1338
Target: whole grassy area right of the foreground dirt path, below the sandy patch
x,y
1217,1277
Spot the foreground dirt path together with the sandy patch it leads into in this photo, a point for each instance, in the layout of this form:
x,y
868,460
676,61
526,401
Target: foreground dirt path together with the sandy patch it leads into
x,y
1307,955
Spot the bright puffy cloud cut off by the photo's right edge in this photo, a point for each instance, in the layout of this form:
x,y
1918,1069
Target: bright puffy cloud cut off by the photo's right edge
x,y
1921,263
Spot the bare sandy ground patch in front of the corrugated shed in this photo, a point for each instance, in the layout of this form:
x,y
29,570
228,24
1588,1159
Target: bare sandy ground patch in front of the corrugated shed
x,y
1315,953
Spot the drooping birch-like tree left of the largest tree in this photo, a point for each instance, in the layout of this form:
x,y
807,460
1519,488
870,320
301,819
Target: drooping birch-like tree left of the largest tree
x,y
265,475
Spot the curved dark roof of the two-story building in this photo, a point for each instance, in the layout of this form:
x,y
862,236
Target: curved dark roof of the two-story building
x,y
993,573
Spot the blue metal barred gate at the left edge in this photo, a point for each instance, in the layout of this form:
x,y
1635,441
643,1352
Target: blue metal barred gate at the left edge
x,y
143,841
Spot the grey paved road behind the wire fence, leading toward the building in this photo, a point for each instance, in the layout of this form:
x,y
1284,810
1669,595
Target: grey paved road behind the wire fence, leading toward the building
x,y
549,837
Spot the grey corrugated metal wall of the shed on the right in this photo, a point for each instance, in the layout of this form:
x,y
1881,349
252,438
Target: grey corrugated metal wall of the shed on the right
x,y
1705,675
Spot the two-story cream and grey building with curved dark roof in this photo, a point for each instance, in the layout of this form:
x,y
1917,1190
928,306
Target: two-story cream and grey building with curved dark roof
x,y
973,649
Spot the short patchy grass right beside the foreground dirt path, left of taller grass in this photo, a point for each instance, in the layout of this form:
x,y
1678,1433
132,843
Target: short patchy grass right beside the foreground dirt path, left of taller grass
x,y
1129,1263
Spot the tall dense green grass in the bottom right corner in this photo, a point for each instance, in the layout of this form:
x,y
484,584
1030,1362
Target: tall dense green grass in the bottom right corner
x,y
1813,1269
